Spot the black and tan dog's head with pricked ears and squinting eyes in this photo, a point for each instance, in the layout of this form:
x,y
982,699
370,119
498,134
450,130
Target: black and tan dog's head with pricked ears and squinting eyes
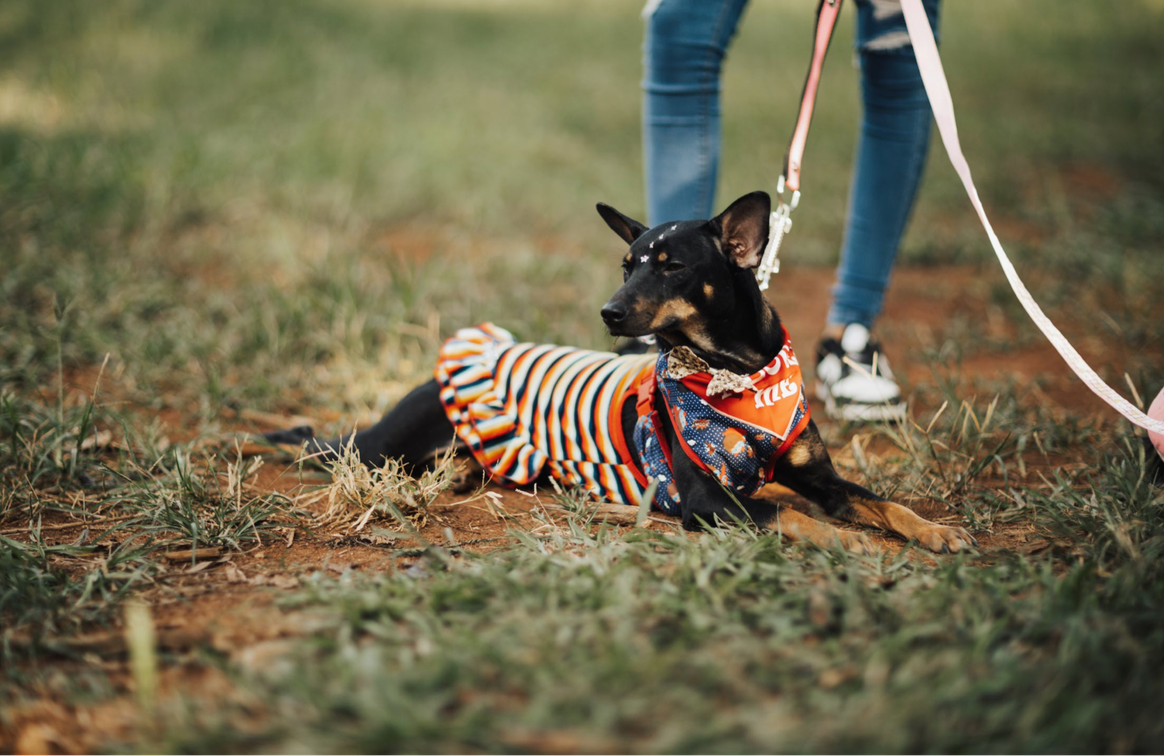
x,y
680,277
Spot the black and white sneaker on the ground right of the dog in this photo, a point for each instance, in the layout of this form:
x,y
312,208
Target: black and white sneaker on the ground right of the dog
x,y
855,381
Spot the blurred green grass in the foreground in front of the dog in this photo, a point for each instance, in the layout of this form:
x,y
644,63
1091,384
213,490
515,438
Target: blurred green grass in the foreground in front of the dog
x,y
733,644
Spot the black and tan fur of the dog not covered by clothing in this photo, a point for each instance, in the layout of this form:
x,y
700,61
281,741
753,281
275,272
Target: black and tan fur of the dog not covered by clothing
x,y
692,286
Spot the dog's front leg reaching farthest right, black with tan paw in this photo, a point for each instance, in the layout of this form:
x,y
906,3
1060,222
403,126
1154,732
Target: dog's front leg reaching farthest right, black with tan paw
x,y
807,469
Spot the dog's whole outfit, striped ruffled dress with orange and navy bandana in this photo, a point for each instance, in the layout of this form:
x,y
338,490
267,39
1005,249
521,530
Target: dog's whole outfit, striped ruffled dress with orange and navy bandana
x,y
524,409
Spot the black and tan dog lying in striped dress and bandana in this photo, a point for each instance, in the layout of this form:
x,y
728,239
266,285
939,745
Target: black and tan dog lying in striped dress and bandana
x,y
720,413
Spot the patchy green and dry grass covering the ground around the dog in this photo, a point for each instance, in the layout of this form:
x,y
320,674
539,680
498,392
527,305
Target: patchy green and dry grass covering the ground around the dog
x,y
218,208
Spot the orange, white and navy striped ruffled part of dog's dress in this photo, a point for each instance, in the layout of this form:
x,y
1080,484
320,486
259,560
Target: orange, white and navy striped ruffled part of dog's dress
x,y
527,408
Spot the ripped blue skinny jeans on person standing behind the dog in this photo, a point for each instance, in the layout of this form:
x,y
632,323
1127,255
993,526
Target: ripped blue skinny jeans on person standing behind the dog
x,y
686,44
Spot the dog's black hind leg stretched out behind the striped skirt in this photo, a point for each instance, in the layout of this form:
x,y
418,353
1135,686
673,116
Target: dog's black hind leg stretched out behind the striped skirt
x,y
414,432
